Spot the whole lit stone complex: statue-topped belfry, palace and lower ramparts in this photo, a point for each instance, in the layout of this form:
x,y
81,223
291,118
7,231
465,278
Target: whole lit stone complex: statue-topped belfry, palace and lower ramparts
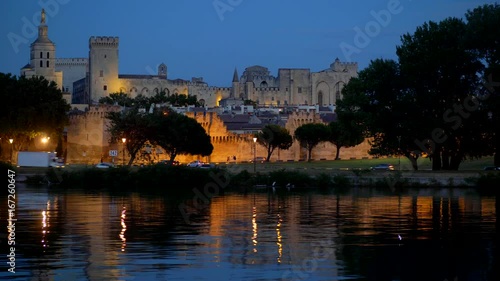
x,y
84,80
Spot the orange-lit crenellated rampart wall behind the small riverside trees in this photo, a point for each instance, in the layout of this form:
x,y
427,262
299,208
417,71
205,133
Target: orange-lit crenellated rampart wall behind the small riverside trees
x,y
88,140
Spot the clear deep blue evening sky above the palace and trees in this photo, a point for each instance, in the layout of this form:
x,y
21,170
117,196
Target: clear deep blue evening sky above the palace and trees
x,y
209,38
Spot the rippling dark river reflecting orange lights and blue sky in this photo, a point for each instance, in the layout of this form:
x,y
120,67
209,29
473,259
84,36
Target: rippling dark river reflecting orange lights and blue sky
x,y
349,234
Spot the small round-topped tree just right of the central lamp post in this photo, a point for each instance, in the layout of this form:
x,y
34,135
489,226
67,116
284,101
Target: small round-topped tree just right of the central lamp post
x,y
272,137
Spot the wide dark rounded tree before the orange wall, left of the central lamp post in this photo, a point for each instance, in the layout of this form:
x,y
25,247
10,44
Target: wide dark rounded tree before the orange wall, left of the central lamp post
x,y
179,134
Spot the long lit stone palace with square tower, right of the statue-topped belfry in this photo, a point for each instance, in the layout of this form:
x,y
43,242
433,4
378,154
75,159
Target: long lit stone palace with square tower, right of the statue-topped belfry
x,y
290,87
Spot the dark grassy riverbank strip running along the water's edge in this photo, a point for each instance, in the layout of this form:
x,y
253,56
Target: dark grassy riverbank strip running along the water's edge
x,y
237,176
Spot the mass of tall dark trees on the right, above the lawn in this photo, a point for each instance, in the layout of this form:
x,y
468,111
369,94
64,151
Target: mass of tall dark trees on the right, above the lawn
x,y
440,99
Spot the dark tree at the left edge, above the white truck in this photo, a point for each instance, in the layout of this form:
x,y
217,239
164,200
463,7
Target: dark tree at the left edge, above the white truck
x,y
30,107
